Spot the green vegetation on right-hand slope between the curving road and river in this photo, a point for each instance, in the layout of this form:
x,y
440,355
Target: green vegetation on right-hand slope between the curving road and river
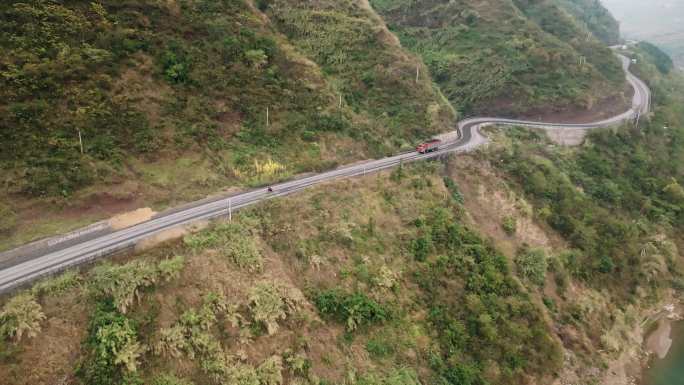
x,y
617,202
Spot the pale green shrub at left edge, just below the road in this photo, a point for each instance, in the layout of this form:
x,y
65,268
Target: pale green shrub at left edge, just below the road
x,y
21,316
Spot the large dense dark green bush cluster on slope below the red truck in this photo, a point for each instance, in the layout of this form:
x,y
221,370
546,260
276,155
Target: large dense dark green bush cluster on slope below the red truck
x,y
478,312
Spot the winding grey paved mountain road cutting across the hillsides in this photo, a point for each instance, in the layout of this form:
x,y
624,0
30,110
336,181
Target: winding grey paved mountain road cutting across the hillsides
x,y
56,258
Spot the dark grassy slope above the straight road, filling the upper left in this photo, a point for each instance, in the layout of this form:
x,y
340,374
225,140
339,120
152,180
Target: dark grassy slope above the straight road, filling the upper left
x,y
171,101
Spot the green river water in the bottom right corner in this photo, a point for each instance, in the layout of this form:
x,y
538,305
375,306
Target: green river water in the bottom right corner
x,y
670,370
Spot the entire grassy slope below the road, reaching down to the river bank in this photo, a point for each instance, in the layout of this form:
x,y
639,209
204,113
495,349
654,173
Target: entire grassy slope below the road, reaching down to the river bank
x,y
555,253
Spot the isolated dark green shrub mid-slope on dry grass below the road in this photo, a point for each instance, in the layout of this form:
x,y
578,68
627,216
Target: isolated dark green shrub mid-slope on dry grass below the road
x,y
354,309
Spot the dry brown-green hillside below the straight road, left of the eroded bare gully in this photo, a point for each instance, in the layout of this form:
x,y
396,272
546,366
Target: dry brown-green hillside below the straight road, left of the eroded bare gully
x,y
380,280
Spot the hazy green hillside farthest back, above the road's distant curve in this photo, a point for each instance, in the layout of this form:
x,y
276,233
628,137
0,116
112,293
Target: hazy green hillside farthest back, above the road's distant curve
x,y
506,57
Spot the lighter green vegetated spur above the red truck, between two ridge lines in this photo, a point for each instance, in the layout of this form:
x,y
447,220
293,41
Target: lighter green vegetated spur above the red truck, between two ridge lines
x,y
369,73
